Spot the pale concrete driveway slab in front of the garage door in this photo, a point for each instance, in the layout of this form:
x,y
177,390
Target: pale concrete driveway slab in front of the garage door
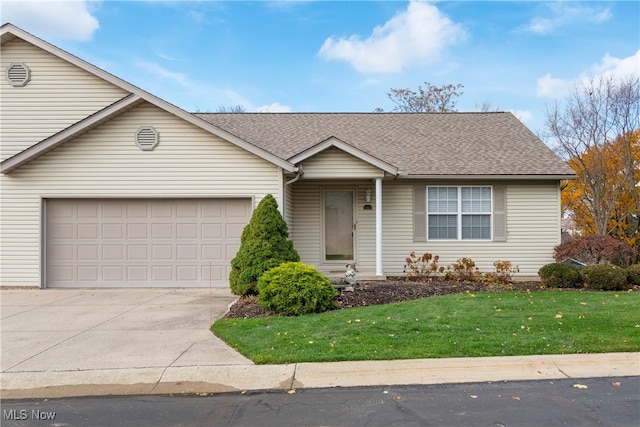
x,y
114,331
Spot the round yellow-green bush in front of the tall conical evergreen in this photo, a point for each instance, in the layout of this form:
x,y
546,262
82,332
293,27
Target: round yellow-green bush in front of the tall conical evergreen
x,y
294,288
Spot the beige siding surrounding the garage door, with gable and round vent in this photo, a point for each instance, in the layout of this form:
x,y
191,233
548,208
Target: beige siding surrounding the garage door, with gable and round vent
x,y
106,163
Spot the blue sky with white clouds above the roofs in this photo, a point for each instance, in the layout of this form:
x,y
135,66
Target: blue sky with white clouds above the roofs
x,y
321,56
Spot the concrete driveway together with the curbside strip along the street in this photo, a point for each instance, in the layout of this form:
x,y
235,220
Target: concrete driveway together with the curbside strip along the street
x,y
59,343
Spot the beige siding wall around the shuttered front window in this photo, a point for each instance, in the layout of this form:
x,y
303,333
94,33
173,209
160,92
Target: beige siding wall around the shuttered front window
x,y
533,229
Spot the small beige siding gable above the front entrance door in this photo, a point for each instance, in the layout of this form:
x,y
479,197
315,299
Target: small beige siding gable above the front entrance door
x,y
335,164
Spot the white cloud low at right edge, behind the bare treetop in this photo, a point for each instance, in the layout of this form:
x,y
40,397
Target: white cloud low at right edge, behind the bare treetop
x,y
621,68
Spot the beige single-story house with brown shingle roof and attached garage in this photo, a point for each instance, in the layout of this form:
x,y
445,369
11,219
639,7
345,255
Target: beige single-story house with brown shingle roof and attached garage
x,y
106,185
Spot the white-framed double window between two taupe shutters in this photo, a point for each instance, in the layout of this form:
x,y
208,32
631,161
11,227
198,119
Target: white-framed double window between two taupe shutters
x,y
459,213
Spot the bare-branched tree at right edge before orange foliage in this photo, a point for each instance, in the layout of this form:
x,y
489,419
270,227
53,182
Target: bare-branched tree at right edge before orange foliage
x,y
593,116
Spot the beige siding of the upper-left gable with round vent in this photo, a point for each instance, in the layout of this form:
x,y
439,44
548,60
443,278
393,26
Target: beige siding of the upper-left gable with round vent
x,y
58,95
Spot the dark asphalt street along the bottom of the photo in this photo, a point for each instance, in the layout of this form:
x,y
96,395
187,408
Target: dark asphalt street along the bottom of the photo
x,y
570,402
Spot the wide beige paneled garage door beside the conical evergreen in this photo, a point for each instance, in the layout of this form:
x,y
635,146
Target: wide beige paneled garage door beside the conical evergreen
x,y
142,242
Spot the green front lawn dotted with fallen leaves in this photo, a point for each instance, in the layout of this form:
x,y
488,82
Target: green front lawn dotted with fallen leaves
x,y
480,324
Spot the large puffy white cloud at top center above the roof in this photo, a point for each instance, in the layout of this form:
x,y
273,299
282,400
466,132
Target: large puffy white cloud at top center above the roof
x,y
414,36
